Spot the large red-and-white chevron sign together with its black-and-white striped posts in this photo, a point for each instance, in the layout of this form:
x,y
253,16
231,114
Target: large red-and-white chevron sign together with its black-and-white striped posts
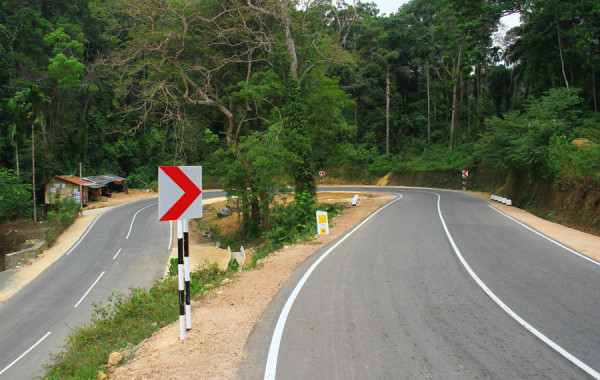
x,y
180,198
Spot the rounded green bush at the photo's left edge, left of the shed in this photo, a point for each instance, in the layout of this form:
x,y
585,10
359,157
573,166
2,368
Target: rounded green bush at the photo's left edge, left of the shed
x,y
15,196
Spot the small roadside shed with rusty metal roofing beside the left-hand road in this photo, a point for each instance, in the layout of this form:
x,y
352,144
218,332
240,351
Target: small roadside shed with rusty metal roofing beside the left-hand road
x,y
67,186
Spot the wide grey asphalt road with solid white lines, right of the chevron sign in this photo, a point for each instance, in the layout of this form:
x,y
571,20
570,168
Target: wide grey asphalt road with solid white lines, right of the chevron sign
x,y
436,285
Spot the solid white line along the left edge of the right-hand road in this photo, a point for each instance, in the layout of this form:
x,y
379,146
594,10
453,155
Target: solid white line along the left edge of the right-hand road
x,y
271,366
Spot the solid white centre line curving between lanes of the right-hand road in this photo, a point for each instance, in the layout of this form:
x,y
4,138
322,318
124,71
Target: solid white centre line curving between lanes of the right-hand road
x,y
508,310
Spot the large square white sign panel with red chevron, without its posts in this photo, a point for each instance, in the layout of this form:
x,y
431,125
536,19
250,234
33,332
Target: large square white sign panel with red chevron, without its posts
x,y
179,192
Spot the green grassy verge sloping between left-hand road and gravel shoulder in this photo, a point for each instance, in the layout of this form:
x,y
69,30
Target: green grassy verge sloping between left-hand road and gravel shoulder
x,y
123,322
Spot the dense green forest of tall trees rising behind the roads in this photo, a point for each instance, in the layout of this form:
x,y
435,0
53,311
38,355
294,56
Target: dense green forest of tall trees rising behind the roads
x,y
265,93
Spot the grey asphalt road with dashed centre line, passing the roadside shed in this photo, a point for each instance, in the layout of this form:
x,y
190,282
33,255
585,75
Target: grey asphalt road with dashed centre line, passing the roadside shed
x,y
125,247
